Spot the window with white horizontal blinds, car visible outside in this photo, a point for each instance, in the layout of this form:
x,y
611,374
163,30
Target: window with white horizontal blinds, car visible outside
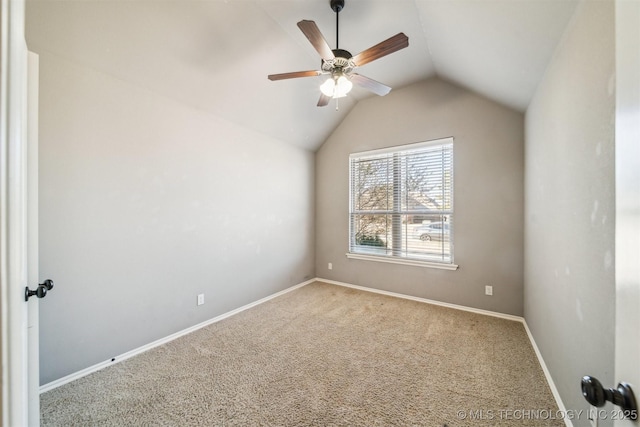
x,y
401,204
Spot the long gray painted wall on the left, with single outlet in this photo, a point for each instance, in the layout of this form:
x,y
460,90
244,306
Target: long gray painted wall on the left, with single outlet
x,y
145,203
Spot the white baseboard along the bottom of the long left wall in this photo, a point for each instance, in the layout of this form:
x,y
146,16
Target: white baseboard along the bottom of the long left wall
x,y
91,369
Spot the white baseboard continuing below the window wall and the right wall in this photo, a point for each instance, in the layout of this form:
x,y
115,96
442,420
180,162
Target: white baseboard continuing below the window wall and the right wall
x,y
547,374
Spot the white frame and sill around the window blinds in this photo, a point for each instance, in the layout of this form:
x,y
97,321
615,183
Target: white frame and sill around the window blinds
x,y
402,258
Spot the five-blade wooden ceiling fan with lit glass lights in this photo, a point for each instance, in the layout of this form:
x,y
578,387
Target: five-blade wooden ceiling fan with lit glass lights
x,y
340,64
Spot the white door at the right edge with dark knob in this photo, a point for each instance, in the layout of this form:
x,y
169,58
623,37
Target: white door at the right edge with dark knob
x,y
627,364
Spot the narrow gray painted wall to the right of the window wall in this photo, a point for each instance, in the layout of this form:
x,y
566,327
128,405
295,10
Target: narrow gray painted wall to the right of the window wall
x,y
569,225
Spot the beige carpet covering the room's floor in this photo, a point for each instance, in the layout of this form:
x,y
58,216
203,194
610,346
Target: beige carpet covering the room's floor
x,y
323,355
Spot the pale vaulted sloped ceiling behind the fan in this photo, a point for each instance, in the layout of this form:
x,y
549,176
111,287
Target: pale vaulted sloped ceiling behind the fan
x,y
215,55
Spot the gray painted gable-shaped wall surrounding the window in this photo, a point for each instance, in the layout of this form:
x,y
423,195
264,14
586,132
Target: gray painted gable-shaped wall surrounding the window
x,y
489,199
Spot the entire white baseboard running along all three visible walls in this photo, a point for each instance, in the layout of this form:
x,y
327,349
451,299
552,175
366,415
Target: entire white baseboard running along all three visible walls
x,y
139,350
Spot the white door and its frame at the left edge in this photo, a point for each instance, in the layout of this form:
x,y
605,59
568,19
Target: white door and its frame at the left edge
x,y
19,323
